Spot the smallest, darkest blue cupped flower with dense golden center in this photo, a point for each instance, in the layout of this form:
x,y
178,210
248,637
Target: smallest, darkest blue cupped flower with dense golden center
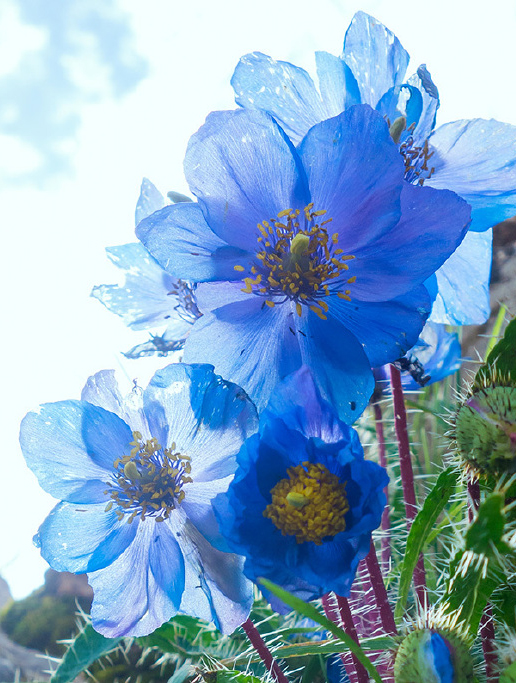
x,y
303,502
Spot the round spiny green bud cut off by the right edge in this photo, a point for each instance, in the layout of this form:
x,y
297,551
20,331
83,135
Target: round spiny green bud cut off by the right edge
x,y
485,430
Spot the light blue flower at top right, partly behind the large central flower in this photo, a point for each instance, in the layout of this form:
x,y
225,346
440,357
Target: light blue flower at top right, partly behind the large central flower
x,y
476,159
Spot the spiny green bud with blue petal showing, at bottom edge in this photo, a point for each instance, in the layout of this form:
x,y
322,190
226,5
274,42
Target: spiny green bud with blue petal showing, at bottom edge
x,y
427,656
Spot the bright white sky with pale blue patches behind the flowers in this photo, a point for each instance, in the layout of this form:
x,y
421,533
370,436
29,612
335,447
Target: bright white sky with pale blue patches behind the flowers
x,y
96,94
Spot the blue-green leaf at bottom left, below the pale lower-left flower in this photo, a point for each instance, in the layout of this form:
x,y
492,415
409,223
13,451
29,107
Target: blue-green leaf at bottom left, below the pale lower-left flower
x,y
87,647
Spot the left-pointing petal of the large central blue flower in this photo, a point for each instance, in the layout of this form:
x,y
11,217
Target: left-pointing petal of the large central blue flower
x,y
182,242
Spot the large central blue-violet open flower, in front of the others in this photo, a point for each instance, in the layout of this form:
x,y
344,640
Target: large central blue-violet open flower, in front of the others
x,y
310,256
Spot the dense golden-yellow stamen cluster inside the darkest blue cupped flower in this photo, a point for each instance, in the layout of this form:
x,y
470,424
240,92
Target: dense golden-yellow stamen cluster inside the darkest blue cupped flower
x,y
310,504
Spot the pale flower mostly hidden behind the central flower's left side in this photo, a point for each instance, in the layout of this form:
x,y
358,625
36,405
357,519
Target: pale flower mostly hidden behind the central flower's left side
x,y
150,297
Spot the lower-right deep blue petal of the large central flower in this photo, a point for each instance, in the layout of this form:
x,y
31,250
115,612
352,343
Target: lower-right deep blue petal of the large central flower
x,y
388,329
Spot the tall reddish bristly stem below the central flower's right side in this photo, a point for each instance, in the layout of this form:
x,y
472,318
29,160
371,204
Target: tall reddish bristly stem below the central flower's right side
x,y
407,474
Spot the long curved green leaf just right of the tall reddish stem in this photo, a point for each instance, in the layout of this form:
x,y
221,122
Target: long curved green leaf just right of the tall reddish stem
x,y
420,530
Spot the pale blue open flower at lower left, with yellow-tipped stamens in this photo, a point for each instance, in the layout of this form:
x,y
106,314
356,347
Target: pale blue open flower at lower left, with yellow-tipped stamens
x,y
136,477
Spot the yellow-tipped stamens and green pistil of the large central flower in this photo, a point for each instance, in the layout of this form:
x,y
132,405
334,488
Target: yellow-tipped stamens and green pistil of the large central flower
x,y
297,260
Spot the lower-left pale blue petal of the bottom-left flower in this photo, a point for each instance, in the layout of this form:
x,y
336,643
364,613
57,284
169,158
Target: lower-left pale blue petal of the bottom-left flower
x,y
83,538
